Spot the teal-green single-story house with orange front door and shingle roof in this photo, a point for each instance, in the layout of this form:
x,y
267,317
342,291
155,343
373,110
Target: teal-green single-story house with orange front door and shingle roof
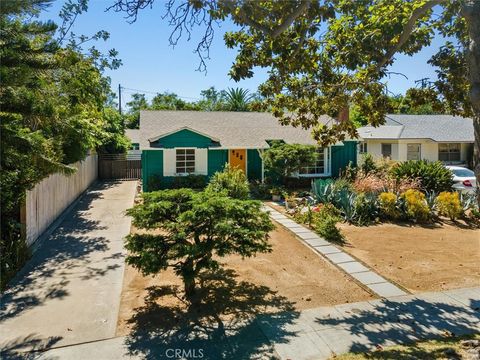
x,y
177,143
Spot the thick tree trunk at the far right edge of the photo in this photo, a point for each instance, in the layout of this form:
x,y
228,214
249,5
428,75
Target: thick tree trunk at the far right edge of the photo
x,y
471,12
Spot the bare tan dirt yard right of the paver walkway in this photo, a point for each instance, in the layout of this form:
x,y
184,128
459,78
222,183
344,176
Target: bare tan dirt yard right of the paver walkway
x,y
419,258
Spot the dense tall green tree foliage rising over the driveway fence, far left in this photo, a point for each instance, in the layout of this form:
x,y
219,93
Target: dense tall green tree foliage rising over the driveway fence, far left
x,y
51,100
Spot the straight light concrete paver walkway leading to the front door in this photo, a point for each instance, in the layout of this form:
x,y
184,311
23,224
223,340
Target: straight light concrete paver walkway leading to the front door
x,y
342,260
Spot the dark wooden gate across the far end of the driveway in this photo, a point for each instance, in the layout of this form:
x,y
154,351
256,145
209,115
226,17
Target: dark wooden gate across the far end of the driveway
x,y
119,166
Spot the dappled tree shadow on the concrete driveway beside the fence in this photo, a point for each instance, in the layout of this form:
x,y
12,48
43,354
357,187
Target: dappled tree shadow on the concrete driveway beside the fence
x,y
67,250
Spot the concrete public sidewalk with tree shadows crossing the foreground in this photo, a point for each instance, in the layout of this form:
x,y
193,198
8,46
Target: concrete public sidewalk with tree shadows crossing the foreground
x,y
311,334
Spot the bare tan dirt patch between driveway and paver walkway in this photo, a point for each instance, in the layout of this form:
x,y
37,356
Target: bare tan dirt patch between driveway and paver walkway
x,y
290,278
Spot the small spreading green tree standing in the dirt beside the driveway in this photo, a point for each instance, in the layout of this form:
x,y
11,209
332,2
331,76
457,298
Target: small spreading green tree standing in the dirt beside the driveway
x,y
195,229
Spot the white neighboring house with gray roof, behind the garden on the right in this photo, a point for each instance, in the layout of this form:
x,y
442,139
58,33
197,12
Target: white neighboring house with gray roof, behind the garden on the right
x,y
413,137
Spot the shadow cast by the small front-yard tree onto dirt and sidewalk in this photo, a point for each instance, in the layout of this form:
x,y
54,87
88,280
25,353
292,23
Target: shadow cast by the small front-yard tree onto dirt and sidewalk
x,y
224,325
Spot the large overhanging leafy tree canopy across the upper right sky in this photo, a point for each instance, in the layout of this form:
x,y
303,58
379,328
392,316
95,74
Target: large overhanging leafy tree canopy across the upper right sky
x,y
327,55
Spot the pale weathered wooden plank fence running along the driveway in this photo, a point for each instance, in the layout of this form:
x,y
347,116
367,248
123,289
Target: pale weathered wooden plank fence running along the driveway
x,y
50,197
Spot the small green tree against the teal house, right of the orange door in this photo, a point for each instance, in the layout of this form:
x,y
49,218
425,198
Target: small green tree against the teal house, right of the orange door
x,y
283,160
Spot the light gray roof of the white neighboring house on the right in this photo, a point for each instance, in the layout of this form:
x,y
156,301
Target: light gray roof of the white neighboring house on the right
x,y
440,128
